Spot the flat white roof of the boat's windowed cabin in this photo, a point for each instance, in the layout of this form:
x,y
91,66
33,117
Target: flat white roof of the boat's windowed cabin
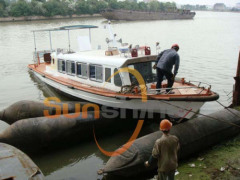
x,y
99,57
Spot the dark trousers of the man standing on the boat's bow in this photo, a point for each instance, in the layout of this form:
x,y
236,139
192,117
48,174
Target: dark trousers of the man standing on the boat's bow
x,y
169,76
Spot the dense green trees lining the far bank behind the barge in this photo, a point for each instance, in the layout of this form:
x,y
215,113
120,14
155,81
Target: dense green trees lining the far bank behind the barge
x,y
69,7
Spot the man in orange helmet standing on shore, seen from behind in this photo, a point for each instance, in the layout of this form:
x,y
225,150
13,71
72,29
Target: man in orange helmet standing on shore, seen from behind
x,y
165,152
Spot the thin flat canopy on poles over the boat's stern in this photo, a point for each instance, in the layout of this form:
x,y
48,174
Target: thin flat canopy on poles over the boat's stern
x,y
64,28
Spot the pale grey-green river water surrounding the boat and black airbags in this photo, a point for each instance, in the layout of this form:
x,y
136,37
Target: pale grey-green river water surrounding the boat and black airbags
x,y
209,47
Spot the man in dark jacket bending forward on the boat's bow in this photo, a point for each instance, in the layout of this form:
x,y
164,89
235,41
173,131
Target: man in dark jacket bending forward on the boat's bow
x,y
164,64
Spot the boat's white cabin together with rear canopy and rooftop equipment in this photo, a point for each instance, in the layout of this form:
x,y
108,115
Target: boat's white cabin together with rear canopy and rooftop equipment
x,y
98,67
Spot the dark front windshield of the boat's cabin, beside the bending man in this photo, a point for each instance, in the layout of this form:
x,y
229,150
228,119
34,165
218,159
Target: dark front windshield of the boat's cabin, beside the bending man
x,y
145,69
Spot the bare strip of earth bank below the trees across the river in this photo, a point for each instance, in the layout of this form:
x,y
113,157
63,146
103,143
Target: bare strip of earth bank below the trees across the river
x,y
38,18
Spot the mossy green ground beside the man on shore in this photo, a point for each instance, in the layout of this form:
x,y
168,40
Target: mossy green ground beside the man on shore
x,y
221,162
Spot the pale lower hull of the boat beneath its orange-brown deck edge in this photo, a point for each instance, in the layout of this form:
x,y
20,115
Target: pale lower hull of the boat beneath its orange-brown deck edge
x,y
176,109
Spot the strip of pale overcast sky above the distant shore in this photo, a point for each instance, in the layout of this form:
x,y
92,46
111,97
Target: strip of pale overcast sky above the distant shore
x,y
206,2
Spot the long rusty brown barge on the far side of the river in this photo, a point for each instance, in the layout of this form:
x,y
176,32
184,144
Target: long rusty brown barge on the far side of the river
x,y
130,15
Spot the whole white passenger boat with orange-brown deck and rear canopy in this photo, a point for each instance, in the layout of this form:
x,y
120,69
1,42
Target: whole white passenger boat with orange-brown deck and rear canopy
x,y
100,76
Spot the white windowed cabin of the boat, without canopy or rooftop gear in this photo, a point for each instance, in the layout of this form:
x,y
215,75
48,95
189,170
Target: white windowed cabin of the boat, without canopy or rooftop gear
x,y
96,69
